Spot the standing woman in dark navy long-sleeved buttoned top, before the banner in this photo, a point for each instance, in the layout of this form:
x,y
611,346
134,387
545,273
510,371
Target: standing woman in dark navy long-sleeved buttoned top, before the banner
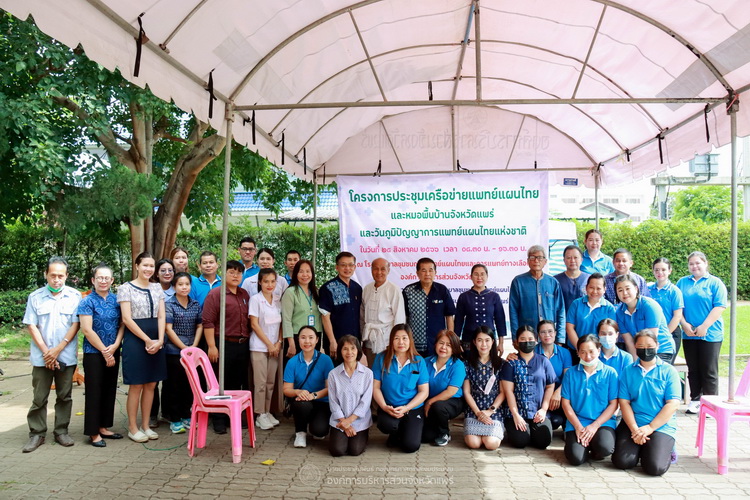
x,y
479,306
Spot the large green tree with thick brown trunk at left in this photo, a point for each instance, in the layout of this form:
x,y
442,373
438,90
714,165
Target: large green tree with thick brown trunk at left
x,y
55,104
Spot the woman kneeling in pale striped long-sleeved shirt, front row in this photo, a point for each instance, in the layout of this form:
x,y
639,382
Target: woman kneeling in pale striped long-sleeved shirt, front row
x,y
350,396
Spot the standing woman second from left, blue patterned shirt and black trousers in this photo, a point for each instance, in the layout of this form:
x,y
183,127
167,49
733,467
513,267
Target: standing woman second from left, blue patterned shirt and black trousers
x,y
99,314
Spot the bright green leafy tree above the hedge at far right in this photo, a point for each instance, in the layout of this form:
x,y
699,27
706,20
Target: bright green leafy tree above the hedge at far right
x,y
710,204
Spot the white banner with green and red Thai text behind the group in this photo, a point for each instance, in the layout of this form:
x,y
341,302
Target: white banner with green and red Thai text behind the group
x,y
457,220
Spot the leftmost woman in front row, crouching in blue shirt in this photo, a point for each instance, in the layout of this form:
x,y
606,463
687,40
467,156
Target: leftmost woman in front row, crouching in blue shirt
x,y
306,387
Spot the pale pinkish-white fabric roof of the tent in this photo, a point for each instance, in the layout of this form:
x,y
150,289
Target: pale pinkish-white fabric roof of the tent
x,y
483,62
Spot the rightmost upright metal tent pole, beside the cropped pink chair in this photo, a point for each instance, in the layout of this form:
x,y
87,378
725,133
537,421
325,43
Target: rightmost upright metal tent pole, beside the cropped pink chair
x,y
733,107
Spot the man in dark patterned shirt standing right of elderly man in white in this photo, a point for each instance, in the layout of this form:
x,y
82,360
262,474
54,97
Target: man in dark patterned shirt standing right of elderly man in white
x,y
429,307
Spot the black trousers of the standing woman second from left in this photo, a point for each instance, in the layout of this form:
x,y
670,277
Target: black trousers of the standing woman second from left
x,y
101,392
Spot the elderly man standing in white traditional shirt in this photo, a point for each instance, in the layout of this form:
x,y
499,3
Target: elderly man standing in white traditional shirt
x,y
382,307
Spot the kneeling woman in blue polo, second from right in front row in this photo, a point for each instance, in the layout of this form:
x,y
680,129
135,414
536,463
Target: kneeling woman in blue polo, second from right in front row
x,y
589,399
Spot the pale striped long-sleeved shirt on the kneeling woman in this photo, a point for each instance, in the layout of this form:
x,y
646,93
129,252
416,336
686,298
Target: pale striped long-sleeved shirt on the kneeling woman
x,y
350,396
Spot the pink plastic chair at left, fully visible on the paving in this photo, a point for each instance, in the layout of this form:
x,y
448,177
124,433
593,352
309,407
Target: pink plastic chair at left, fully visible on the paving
x,y
193,359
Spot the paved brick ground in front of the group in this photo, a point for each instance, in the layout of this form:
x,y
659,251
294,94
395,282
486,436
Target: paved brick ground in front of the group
x,y
162,469
